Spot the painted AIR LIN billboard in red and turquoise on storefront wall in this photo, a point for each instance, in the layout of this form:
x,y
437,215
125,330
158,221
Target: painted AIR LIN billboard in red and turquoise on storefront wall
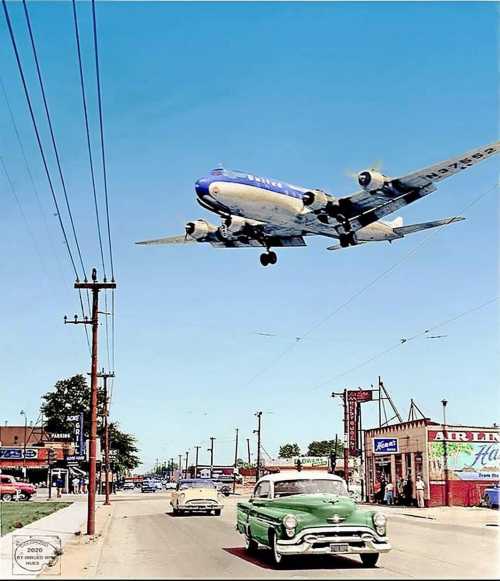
x,y
471,454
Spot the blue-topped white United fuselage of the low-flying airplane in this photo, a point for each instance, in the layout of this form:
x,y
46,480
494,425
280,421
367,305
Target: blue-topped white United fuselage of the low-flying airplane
x,y
271,201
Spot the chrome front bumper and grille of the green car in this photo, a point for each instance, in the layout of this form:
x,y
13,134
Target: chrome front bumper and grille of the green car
x,y
317,541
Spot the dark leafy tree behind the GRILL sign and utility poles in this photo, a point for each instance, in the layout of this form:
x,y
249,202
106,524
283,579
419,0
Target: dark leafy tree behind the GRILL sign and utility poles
x,y
70,397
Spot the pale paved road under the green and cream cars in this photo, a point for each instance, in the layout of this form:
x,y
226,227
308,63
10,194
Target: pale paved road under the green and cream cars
x,y
144,540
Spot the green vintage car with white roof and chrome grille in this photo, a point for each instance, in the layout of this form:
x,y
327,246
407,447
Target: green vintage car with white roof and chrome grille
x,y
310,513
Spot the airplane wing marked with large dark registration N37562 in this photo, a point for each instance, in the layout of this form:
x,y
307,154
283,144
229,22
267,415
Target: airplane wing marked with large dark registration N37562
x,y
366,207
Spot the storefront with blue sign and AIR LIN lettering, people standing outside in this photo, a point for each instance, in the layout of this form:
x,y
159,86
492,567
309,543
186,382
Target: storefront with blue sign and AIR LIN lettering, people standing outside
x,y
456,463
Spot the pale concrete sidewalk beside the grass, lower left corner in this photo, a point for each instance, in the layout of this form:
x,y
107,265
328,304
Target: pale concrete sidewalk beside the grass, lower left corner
x,y
63,523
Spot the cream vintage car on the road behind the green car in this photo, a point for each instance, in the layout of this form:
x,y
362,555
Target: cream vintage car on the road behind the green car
x,y
196,495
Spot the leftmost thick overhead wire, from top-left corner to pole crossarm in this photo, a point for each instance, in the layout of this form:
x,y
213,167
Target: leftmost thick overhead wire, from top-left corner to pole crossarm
x,y
42,152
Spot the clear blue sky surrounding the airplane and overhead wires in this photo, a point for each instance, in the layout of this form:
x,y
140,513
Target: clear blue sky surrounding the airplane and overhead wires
x,y
300,92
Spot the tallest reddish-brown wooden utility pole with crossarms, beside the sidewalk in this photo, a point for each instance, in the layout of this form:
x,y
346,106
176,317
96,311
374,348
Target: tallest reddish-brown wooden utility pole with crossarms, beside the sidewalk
x,y
95,287
